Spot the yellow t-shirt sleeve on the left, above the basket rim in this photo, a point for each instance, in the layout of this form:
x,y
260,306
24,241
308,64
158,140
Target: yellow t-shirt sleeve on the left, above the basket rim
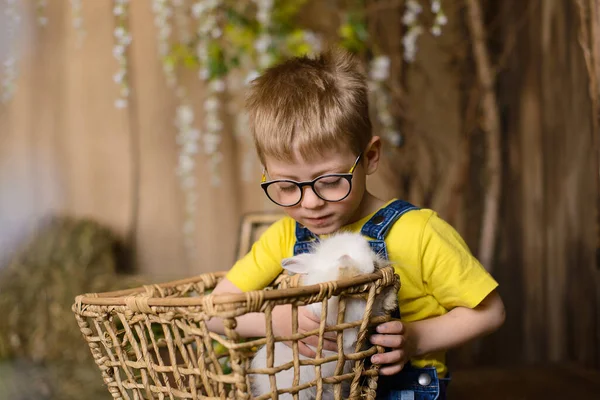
x,y
262,264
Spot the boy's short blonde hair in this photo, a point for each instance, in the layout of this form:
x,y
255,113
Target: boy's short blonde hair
x,y
309,105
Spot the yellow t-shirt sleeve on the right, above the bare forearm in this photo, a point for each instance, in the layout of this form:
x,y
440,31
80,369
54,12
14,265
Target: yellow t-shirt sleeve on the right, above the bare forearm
x,y
450,272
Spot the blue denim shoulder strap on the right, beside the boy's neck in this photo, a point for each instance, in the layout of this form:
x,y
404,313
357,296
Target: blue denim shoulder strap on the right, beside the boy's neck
x,y
378,226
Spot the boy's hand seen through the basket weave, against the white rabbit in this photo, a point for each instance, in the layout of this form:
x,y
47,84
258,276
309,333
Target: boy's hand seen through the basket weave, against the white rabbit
x,y
307,321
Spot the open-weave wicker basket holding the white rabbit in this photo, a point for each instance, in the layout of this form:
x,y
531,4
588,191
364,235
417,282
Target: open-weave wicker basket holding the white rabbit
x,y
152,342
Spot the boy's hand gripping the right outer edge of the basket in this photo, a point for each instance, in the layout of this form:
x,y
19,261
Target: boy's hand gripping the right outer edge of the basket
x,y
394,335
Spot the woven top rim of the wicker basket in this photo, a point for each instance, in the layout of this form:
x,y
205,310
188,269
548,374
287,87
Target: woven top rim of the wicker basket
x,y
119,297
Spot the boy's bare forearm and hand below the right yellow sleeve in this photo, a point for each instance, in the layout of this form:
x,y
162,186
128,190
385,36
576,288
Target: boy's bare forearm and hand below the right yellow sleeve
x,y
457,327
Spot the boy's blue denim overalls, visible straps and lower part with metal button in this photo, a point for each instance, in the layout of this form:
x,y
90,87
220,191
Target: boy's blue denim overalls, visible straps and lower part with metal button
x,y
411,383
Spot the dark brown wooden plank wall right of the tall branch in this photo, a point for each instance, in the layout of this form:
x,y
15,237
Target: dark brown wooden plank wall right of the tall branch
x,y
547,267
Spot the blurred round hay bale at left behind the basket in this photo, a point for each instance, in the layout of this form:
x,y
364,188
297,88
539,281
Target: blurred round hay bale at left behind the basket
x,y
65,258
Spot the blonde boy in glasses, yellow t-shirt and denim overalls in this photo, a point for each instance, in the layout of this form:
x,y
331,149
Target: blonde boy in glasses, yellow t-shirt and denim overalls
x,y
310,122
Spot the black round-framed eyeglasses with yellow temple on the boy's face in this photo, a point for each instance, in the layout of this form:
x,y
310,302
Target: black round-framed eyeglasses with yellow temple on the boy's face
x,y
330,187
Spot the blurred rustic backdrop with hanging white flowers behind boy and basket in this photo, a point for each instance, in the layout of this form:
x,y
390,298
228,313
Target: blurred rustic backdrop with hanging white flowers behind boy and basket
x,y
125,159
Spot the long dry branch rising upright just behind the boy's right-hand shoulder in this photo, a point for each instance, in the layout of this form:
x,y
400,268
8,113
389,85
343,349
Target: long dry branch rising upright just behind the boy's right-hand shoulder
x,y
491,126
